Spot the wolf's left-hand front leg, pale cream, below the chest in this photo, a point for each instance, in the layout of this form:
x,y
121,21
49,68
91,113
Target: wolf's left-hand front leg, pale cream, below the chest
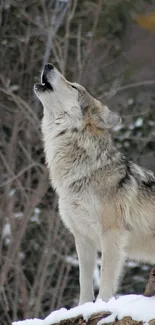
x,y
86,251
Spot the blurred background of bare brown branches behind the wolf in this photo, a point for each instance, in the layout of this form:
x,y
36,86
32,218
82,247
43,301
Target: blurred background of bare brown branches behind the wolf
x,y
109,47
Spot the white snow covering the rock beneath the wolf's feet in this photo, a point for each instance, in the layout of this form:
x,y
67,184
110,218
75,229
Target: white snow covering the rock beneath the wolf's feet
x,y
138,307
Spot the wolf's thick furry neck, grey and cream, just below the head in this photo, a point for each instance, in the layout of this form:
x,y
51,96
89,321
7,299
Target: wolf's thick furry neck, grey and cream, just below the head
x,y
72,156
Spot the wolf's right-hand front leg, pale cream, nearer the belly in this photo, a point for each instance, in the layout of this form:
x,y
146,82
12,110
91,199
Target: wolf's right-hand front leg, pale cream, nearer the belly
x,y
112,243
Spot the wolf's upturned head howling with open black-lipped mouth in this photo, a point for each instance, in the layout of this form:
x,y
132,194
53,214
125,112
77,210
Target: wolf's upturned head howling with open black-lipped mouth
x,y
71,104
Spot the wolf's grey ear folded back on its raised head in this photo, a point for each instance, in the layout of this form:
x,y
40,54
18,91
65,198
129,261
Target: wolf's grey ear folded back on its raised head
x,y
107,118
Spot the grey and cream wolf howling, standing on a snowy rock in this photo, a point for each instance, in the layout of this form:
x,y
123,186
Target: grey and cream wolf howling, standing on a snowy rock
x,y
106,201
